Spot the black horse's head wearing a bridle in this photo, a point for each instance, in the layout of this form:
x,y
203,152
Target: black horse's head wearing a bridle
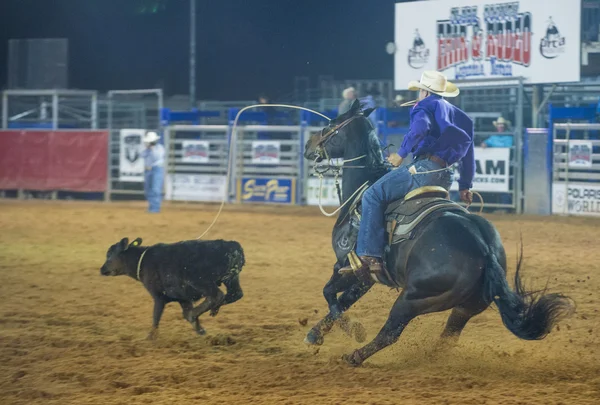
x,y
344,131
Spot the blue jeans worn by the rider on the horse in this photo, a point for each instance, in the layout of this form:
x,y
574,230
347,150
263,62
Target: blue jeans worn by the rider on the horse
x,y
391,187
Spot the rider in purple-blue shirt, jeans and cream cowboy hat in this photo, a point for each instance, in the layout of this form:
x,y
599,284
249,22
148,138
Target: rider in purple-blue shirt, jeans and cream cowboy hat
x,y
440,135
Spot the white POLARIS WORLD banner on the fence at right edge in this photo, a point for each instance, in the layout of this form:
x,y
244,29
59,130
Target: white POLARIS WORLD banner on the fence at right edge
x,y
576,199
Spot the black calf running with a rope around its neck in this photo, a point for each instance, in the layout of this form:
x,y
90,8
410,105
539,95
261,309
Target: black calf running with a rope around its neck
x,y
182,272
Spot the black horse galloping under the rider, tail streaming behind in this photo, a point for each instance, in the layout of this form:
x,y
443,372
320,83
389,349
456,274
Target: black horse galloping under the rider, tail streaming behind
x,y
454,259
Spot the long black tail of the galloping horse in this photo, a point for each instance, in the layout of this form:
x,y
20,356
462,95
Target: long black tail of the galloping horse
x,y
530,315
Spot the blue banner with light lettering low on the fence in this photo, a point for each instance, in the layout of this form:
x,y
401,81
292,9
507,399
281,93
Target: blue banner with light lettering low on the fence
x,y
266,190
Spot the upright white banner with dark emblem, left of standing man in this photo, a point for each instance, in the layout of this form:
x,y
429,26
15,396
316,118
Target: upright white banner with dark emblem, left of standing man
x,y
131,163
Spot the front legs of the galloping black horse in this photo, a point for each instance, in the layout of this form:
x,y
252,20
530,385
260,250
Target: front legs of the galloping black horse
x,y
353,290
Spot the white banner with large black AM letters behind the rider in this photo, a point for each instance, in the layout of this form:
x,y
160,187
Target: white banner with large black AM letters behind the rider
x,y
492,170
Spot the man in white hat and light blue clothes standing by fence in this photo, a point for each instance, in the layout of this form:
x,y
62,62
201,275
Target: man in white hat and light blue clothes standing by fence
x,y
154,161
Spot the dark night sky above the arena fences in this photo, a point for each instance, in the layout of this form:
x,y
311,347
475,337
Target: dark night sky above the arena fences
x,y
244,46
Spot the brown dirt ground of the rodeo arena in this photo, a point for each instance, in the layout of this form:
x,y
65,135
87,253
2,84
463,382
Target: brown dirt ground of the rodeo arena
x,y
70,336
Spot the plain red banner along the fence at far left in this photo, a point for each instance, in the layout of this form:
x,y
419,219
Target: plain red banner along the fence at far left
x,y
54,160
